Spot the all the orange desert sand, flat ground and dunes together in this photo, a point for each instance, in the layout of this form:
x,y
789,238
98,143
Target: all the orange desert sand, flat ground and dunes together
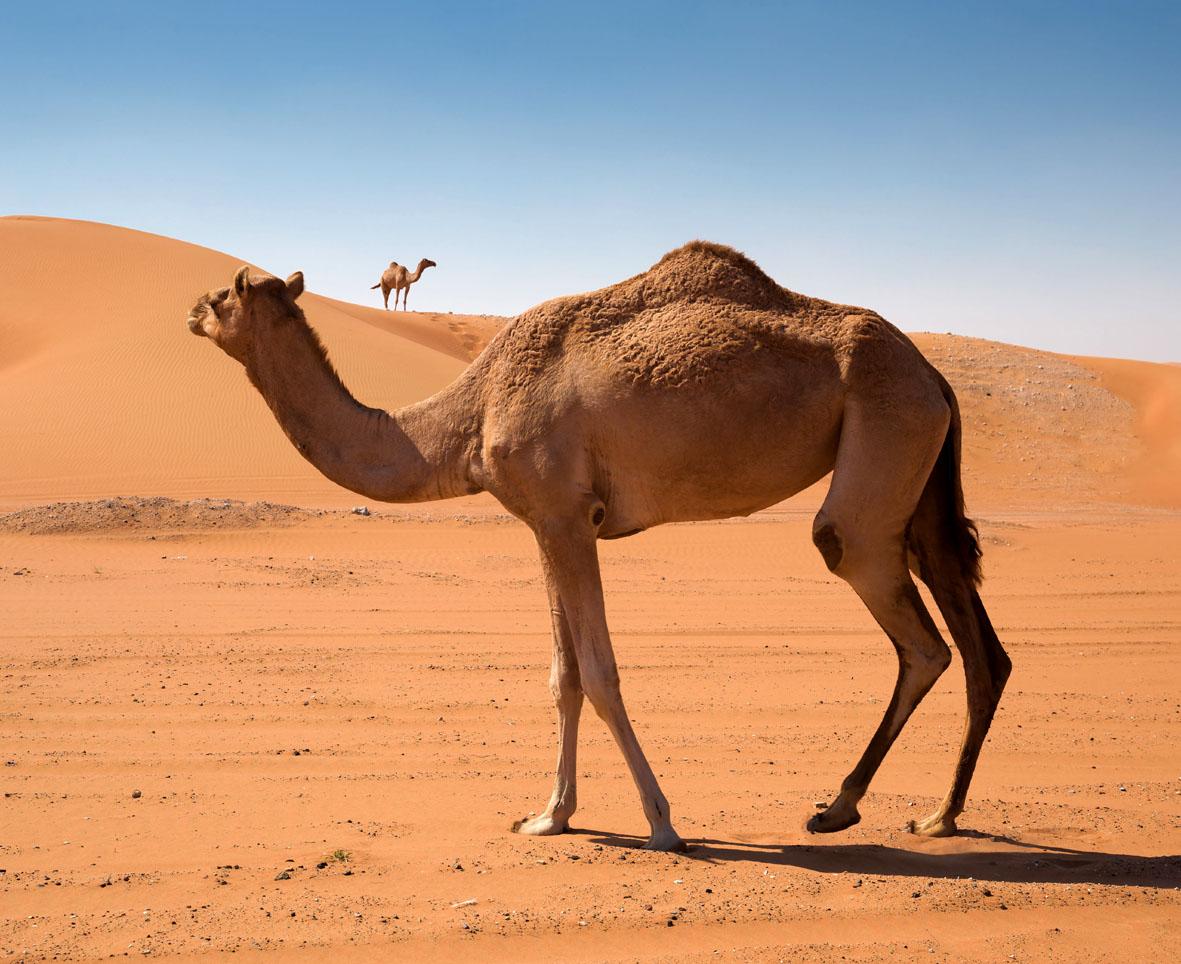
x,y
240,718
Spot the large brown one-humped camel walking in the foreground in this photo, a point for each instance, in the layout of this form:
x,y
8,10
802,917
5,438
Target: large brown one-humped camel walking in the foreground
x,y
697,390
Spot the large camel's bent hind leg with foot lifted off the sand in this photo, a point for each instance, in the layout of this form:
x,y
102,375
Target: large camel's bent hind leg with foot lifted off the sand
x,y
883,464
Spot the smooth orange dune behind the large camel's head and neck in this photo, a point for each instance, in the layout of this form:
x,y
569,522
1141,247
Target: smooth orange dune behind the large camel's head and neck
x,y
103,392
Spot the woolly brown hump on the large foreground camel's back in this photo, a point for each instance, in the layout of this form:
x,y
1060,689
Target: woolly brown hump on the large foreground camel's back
x,y
707,271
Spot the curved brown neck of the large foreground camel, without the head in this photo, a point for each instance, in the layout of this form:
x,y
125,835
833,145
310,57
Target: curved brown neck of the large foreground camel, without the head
x,y
417,454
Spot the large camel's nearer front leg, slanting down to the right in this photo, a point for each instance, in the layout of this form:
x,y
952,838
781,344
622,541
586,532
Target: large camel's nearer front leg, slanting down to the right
x,y
571,556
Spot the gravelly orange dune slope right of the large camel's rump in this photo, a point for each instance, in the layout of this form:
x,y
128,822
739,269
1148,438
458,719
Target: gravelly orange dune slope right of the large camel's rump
x,y
1045,429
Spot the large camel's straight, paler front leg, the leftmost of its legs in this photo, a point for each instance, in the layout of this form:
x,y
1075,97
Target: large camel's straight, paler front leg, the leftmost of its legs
x,y
567,689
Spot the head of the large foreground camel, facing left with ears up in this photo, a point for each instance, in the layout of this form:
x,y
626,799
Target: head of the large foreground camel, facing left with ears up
x,y
233,318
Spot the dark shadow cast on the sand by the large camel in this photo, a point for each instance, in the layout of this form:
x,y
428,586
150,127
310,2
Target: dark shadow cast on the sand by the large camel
x,y
1030,864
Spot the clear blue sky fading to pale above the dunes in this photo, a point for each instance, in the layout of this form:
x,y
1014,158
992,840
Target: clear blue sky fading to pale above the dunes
x,y
1000,170
